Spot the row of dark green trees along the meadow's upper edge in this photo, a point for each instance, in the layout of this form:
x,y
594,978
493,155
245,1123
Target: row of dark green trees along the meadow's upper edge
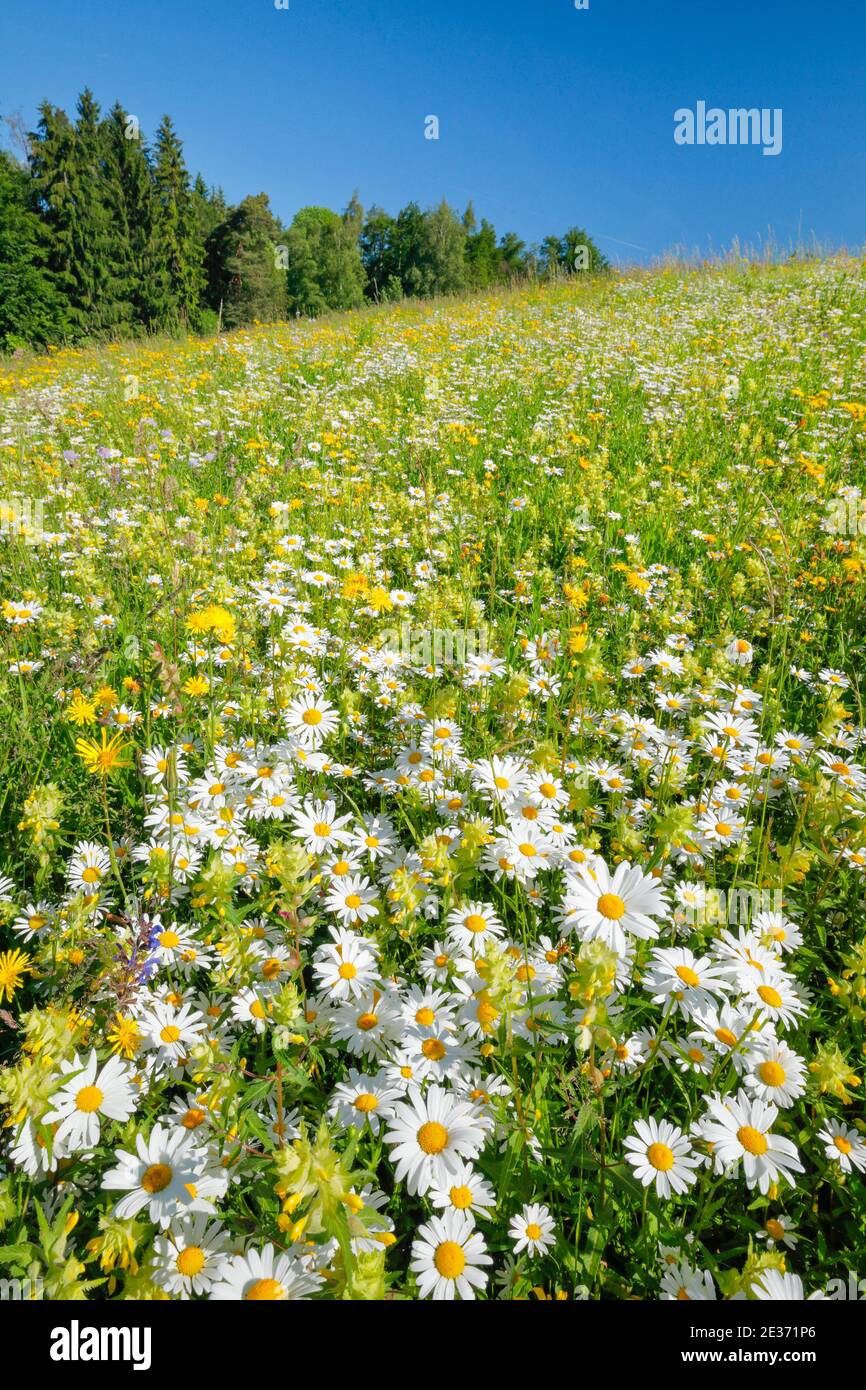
x,y
106,237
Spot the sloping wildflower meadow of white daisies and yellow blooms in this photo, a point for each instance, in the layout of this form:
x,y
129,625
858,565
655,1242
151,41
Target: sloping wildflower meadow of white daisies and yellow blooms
x,y
433,800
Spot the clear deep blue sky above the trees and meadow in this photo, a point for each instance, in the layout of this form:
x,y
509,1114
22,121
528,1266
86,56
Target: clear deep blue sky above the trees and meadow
x,y
548,116
